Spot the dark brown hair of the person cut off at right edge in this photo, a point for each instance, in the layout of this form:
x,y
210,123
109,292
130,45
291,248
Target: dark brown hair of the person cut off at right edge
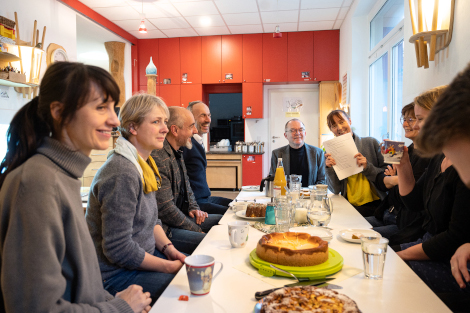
x,y
448,118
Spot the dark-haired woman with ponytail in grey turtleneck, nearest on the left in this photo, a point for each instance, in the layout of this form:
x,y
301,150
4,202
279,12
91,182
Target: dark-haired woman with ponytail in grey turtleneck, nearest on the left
x,y
48,262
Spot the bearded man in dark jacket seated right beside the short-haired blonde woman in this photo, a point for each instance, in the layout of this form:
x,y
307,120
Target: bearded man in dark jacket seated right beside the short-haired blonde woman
x,y
177,206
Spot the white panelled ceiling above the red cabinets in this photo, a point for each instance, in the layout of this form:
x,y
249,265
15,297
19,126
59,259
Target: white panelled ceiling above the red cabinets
x,y
184,18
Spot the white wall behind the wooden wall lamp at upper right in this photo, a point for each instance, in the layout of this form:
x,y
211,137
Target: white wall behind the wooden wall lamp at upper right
x,y
417,80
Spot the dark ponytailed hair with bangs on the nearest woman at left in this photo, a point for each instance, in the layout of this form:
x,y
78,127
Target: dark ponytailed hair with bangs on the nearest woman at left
x,y
65,82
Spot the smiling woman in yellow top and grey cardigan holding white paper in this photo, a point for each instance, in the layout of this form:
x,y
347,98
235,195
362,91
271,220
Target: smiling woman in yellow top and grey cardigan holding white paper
x,y
359,189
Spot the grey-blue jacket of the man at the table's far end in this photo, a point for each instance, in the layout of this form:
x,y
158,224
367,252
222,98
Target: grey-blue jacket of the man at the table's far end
x,y
316,163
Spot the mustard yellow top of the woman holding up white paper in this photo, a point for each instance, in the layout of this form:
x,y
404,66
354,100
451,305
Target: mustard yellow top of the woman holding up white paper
x,y
359,190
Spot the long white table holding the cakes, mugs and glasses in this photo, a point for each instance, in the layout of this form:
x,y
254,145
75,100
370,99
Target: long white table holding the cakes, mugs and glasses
x,y
401,290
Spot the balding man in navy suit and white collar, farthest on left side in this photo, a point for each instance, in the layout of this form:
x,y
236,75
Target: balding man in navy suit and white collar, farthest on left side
x,y
196,163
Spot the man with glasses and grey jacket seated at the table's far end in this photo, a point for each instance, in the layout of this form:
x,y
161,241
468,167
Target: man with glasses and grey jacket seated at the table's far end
x,y
298,157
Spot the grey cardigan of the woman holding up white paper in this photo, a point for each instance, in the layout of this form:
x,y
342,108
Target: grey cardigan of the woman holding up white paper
x,y
370,148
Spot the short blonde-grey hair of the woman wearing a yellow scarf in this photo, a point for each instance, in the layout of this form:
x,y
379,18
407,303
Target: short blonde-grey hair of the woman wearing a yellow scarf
x,y
135,109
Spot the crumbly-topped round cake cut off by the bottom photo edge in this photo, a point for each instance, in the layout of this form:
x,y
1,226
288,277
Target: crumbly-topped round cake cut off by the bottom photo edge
x,y
308,299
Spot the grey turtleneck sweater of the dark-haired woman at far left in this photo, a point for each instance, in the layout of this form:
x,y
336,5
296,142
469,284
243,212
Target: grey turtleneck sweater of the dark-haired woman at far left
x,y
48,261
